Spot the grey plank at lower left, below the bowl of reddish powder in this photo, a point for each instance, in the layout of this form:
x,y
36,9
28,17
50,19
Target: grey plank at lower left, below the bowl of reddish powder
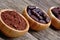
x,y
27,36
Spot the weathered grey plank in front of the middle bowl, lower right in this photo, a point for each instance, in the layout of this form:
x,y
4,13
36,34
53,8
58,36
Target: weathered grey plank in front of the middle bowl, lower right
x,y
47,34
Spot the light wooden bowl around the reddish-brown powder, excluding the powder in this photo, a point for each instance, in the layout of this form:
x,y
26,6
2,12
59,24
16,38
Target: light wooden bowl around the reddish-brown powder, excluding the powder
x,y
11,32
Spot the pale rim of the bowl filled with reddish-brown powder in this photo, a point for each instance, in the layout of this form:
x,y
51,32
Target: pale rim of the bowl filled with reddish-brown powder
x,y
27,26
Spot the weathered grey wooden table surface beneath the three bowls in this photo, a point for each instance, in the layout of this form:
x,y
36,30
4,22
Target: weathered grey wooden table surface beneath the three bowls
x,y
19,5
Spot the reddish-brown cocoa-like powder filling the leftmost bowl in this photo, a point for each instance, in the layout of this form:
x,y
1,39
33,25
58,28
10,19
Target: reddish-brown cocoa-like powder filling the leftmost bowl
x,y
12,19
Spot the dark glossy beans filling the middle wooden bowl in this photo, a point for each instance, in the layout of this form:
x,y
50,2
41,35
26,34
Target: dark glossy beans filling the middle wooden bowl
x,y
37,14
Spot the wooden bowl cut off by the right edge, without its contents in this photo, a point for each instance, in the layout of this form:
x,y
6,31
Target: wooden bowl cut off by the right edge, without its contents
x,y
55,21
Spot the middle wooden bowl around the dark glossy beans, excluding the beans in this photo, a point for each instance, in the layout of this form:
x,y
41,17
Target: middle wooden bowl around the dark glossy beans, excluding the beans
x,y
34,24
